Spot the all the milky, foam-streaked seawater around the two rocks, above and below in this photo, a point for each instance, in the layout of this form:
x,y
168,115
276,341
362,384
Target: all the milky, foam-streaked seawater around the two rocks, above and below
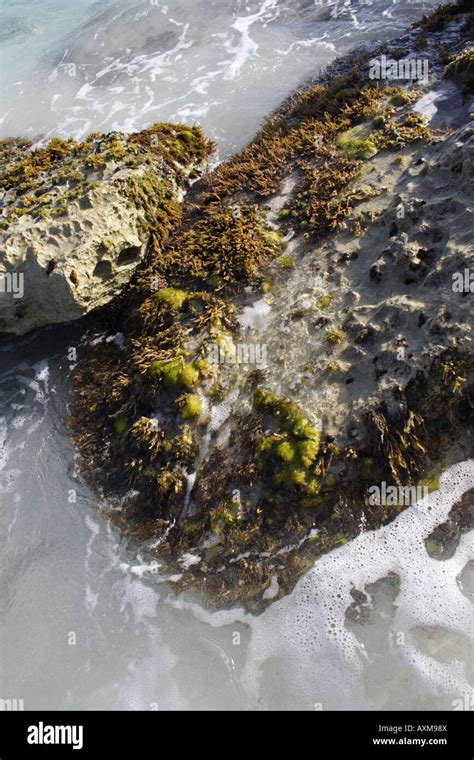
x,y
85,622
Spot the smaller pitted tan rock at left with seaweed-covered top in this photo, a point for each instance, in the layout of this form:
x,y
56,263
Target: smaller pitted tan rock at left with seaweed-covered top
x,y
77,217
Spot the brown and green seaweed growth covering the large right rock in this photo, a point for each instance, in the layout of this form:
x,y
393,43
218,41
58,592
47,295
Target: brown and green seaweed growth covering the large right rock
x,y
280,463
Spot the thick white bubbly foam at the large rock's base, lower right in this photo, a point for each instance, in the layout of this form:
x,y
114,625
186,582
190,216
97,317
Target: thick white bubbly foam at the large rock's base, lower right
x,y
319,659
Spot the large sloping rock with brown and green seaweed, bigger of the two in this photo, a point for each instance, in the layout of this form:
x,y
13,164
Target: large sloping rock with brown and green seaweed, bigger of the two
x,y
303,337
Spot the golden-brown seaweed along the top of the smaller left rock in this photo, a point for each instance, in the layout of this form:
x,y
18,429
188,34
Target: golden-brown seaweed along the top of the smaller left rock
x,y
74,168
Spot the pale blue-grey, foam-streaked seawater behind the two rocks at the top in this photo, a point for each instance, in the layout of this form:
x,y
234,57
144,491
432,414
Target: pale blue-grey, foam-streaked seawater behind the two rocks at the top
x,y
83,66
